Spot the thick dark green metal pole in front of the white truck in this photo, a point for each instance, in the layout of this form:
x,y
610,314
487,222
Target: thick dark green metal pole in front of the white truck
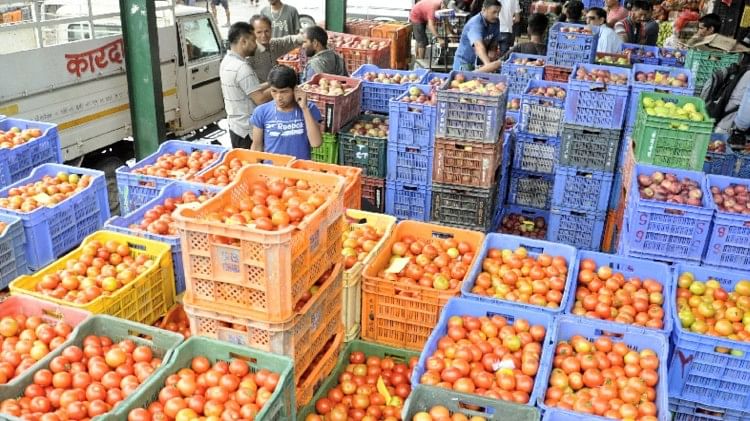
x,y
139,33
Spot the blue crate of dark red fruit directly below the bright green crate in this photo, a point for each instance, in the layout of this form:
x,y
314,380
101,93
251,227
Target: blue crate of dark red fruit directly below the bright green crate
x,y
670,230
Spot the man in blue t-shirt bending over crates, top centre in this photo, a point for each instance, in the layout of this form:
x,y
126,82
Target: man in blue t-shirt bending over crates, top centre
x,y
480,35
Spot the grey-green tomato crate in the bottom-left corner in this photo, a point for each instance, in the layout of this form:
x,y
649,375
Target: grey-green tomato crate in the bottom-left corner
x,y
163,343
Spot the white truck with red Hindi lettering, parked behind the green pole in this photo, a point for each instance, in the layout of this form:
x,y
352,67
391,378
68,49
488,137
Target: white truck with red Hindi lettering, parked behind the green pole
x,y
64,63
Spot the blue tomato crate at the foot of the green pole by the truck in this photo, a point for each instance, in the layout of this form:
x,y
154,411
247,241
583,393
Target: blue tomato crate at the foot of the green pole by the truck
x,y
137,189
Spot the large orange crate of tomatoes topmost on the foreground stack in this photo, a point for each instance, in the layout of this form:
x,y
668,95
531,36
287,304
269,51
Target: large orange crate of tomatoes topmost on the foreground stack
x,y
253,273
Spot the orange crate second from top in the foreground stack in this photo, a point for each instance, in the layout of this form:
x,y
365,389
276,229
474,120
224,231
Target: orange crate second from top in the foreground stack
x,y
301,338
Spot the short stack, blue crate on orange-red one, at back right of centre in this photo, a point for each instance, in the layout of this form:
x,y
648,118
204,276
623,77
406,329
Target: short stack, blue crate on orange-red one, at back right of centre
x,y
569,44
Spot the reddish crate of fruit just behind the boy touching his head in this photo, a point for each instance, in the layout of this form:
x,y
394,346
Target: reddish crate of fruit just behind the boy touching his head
x,y
337,111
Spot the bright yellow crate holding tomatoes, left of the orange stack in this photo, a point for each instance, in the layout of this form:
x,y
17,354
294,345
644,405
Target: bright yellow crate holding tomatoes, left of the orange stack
x,y
144,300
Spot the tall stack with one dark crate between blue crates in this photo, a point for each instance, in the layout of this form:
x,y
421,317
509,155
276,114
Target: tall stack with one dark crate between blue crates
x,y
594,114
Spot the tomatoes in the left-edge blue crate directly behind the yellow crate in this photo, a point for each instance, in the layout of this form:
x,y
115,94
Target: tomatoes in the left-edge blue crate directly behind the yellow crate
x,y
48,191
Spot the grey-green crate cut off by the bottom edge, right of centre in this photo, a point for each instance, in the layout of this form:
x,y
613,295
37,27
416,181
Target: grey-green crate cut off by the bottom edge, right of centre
x,y
424,397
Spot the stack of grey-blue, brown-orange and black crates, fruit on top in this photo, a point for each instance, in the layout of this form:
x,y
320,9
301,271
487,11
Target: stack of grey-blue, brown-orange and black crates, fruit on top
x,y
468,150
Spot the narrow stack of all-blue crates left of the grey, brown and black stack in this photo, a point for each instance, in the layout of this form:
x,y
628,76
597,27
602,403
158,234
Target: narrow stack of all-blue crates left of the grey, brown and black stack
x,y
411,145
